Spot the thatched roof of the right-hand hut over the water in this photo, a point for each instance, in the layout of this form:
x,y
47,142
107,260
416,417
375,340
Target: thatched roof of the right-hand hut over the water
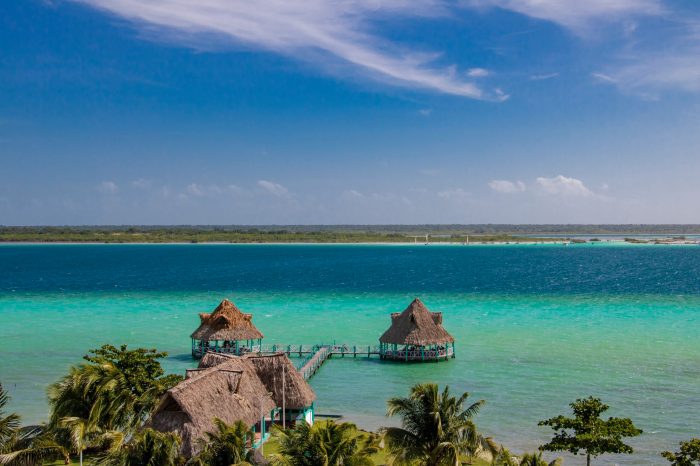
x,y
416,326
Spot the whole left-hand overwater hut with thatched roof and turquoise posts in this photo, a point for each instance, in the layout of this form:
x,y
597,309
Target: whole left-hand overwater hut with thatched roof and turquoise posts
x,y
225,330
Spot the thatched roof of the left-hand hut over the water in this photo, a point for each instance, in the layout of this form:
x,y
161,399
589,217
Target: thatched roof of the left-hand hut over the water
x,y
227,322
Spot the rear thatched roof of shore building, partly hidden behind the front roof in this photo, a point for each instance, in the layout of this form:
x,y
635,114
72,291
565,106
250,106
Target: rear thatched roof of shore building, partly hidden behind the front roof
x,y
297,392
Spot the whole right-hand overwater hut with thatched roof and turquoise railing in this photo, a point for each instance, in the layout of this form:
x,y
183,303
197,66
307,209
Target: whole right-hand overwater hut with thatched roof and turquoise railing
x,y
416,334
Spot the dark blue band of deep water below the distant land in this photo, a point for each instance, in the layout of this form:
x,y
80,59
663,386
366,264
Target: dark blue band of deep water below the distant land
x,y
547,269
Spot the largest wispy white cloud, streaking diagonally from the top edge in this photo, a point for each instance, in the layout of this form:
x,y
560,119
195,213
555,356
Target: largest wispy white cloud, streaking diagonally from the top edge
x,y
329,33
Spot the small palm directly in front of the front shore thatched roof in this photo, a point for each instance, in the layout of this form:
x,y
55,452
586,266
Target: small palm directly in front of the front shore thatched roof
x,y
227,445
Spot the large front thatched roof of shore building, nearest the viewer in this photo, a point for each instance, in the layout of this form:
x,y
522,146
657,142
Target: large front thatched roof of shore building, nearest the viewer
x,y
231,391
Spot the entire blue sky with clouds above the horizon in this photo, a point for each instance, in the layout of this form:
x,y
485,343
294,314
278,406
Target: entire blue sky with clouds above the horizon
x,y
349,111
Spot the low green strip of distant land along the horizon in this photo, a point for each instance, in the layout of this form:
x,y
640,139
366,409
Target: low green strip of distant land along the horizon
x,y
486,233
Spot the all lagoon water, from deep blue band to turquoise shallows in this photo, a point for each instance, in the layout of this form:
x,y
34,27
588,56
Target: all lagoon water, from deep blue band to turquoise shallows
x,y
536,326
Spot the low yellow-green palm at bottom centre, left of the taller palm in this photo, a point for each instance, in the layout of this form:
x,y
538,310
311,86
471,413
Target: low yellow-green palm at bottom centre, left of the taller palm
x,y
324,444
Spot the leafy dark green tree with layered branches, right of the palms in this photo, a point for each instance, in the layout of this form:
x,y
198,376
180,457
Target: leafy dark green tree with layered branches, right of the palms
x,y
587,432
